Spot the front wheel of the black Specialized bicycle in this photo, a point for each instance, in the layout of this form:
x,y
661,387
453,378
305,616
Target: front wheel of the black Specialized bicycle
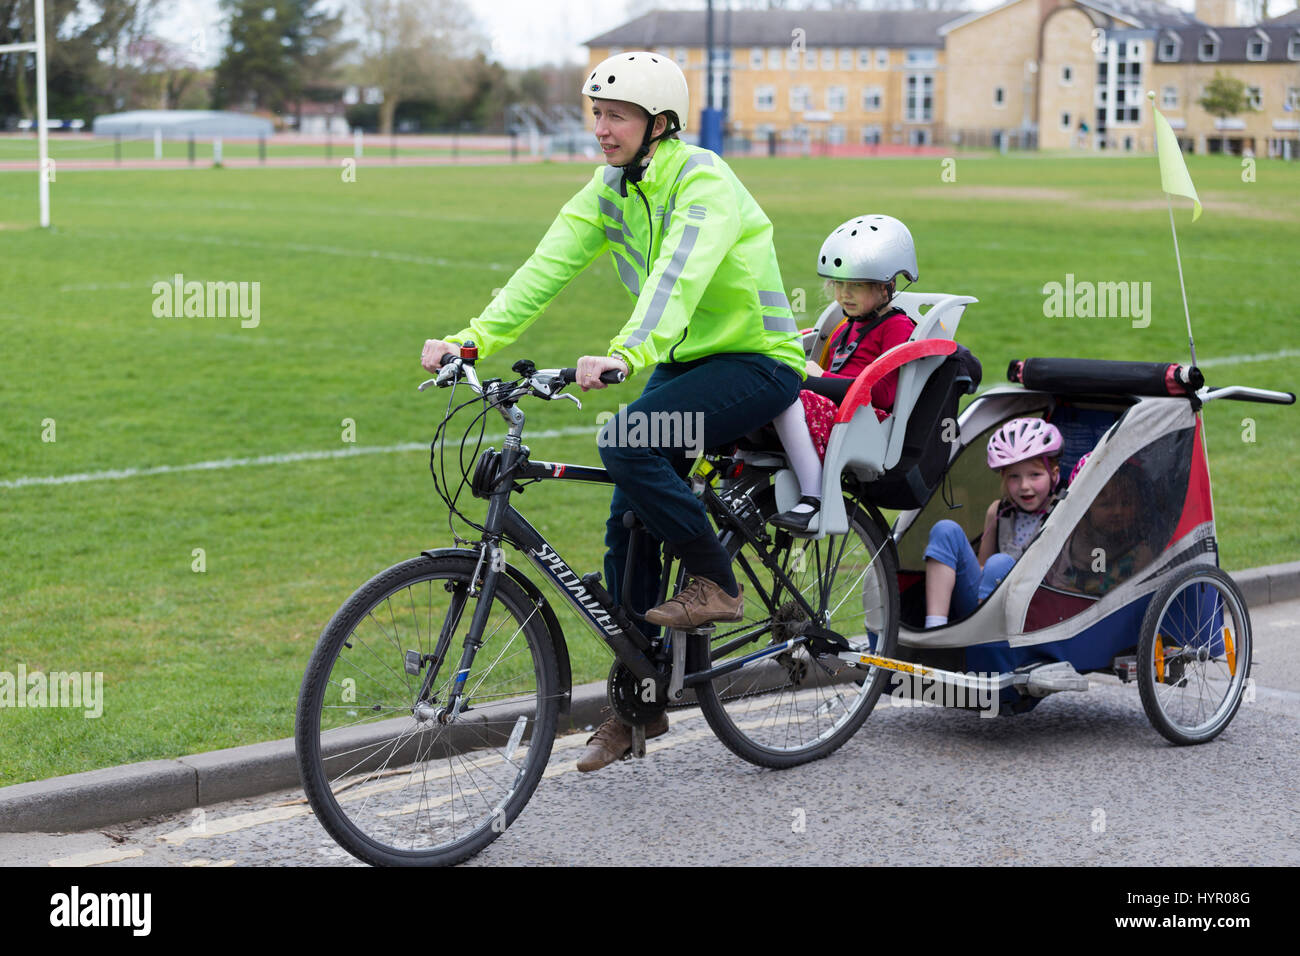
x,y
395,778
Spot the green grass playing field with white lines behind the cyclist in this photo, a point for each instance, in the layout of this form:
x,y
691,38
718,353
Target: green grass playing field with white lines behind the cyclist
x,y
98,577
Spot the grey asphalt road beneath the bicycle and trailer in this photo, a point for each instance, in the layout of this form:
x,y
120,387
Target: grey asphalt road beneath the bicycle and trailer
x,y
1084,780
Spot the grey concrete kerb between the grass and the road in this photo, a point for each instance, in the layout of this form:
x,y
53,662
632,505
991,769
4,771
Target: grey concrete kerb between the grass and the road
x,y
116,795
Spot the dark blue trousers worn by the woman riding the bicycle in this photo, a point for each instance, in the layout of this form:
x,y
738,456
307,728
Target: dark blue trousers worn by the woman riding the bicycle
x,y
734,395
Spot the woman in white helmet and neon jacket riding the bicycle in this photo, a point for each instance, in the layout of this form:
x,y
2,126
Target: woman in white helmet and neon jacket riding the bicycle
x,y
710,323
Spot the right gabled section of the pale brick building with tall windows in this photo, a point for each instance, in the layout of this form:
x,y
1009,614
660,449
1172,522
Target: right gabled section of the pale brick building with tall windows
x,y
1076,75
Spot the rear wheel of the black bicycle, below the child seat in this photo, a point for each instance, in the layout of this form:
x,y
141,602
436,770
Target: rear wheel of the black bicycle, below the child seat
x,y
801,707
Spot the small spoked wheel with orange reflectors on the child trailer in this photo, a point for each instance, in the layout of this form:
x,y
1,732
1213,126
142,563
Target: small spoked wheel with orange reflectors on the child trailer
x,y
1194,655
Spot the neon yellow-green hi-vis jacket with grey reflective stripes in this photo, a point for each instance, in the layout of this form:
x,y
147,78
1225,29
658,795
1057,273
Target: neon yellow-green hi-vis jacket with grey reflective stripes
x,y
691,246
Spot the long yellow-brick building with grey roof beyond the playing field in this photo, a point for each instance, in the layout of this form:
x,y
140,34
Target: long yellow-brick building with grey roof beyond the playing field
x,y
1055,75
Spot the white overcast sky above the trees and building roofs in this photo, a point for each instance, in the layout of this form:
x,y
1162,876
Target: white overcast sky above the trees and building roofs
x,y
525,33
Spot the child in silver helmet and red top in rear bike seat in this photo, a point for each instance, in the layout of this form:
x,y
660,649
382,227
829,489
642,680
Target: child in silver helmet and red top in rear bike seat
x,y
861,262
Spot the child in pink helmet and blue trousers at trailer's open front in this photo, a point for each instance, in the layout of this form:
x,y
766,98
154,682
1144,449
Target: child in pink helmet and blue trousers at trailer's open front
x,y
1025,452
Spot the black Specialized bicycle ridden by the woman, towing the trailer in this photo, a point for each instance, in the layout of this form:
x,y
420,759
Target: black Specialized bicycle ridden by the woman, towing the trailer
x,y
410,756
